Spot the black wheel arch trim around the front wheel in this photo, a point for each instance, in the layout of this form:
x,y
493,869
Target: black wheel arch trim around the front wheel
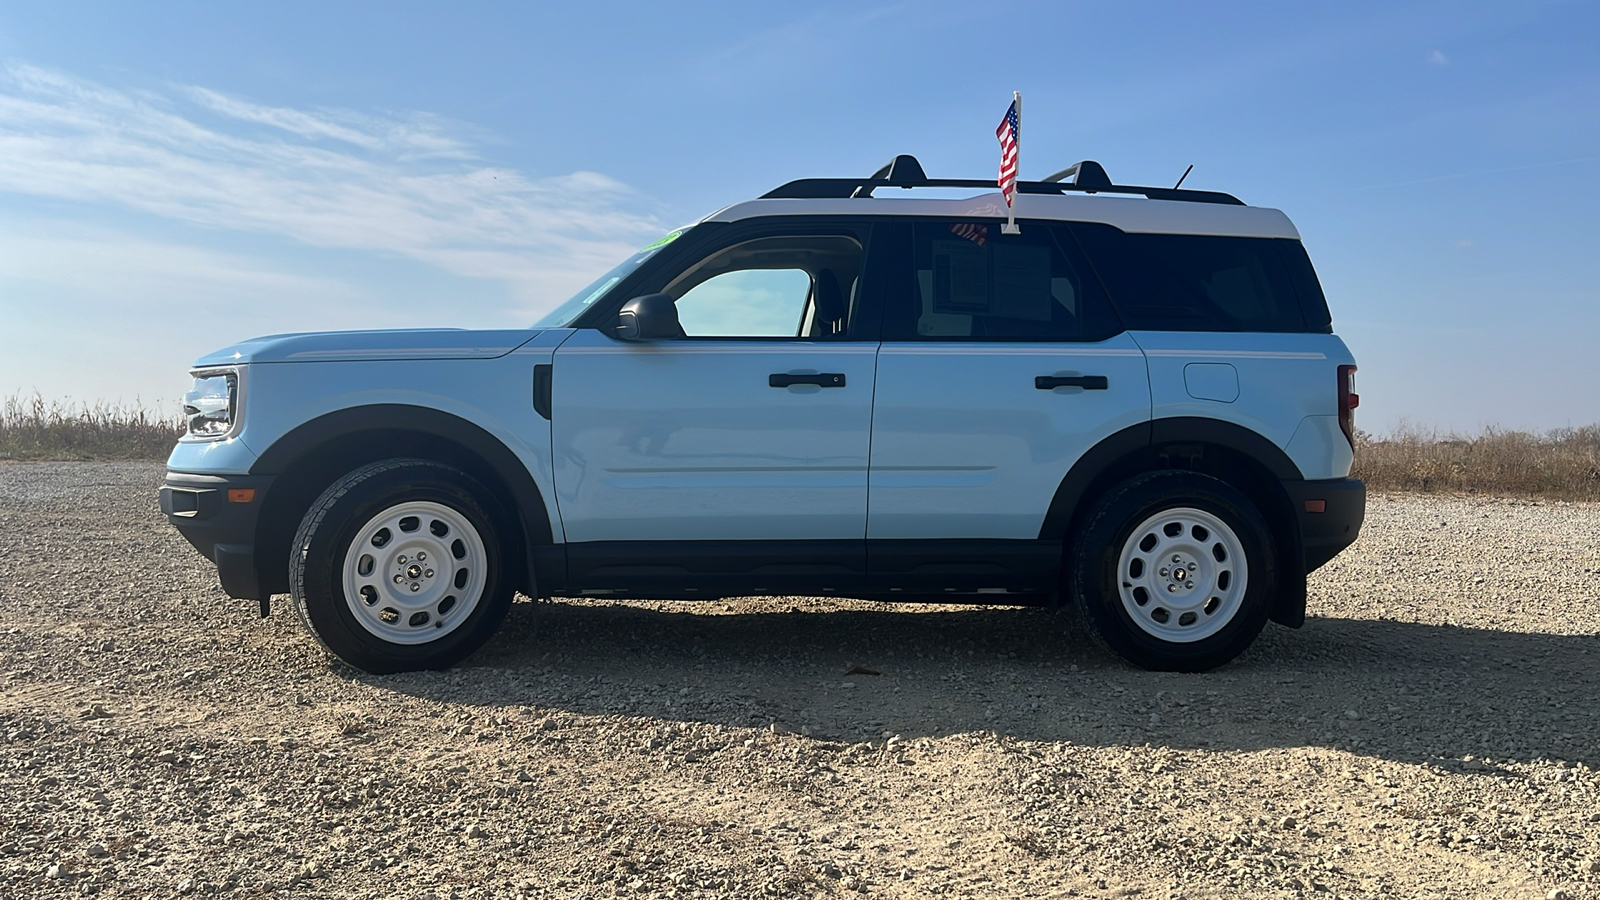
x,y
313,456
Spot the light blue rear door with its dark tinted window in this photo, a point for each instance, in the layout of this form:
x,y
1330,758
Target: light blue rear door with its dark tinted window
x,y
1001,366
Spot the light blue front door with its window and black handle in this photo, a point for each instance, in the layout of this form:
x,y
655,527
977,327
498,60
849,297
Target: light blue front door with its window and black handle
x,y
753,427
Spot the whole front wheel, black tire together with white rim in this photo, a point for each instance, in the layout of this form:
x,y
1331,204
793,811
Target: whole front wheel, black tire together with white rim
x,y
401,510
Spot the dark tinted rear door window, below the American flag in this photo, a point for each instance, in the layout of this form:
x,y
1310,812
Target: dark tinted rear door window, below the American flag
x,y
974,284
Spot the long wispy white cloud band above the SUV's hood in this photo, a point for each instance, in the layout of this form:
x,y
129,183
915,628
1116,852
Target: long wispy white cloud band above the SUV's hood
x,y
401,185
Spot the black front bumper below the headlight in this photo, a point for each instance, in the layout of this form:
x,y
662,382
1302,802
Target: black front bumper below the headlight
x,y
218,516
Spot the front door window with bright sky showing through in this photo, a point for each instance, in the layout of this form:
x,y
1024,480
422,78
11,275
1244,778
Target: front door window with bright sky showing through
x,y
774,287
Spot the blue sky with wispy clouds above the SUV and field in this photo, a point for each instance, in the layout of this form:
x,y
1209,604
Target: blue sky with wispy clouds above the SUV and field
x,y
177,177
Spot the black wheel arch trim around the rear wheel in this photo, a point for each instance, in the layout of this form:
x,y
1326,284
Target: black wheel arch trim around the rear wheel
x,y
1225,451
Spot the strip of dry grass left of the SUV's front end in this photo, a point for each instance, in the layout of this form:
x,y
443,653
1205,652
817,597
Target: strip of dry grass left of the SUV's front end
x,y
34,430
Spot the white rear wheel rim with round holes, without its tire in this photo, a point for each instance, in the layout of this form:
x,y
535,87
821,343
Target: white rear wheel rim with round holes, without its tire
x,y
1183,576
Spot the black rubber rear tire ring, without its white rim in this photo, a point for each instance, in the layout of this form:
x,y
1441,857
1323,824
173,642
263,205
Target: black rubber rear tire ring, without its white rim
x,y
1097,577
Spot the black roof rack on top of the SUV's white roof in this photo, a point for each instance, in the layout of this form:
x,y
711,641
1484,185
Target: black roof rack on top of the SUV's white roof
x,y
1087,177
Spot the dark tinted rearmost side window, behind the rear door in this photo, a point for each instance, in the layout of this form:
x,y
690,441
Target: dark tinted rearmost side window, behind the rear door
x,y
1180,283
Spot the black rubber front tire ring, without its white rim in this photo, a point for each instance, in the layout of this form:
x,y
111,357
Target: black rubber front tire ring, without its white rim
x,y
326,539
